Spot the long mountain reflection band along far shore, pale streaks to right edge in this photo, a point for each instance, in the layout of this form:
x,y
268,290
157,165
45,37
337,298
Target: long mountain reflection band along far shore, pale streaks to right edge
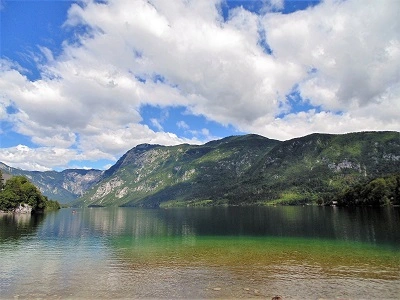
x,y
373,226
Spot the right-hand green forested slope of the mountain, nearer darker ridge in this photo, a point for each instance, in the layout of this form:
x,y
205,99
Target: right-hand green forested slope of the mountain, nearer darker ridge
x,y
318,166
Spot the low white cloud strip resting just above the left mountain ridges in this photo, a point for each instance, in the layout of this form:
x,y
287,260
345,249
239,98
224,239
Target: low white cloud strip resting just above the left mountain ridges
x,y
92,148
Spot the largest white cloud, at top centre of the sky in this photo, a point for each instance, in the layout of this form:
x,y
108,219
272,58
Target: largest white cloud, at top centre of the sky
x,y
219,68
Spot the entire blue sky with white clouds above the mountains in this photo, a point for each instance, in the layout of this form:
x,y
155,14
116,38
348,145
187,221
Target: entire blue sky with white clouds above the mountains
x,y
82,82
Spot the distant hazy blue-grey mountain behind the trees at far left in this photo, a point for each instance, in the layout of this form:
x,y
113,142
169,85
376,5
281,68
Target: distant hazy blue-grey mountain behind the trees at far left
x,y
63,186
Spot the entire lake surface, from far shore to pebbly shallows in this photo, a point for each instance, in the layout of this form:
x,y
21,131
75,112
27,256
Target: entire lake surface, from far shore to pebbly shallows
x,y
257,252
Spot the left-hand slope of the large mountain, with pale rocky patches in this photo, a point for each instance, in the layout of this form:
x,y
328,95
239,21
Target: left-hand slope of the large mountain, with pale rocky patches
x,y
149,175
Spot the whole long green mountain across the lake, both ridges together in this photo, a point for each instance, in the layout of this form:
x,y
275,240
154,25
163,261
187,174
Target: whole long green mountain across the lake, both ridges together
x,y
243,170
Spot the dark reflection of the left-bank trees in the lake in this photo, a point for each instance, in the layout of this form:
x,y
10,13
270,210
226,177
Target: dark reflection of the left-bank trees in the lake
x,y
16,226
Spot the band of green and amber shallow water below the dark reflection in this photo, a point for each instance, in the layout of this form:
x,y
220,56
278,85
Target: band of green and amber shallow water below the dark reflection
x,y
251,252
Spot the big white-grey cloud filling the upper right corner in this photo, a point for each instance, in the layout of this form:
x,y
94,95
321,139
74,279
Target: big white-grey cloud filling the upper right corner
x,y
353,46
